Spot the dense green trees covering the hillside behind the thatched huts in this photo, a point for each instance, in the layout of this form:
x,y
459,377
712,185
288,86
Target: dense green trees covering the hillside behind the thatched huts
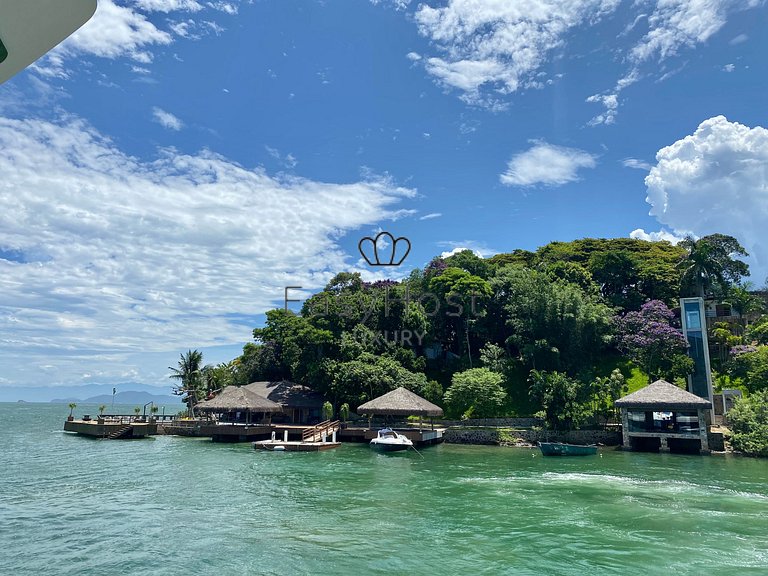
x,y
513,334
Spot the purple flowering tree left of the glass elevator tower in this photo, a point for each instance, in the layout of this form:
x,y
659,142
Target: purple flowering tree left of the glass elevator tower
x,y
648,338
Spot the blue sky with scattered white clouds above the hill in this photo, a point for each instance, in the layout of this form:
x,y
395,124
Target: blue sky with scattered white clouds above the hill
x,y
173,165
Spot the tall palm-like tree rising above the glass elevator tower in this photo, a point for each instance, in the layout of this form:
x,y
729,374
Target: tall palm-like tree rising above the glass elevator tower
x,y
710,264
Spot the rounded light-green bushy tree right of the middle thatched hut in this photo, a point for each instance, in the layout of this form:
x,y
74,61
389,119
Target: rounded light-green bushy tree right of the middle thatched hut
x,y
476,392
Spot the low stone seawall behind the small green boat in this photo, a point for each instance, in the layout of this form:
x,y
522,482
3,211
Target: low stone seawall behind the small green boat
x,y
512,437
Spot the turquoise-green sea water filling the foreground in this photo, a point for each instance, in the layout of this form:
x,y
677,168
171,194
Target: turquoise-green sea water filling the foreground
x,y
170,505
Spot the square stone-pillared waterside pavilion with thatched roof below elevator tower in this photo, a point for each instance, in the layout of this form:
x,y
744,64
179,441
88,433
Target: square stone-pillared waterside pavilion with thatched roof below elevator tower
x,y
662,416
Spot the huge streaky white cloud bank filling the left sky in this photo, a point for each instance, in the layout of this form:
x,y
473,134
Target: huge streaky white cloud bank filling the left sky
x,y
112,255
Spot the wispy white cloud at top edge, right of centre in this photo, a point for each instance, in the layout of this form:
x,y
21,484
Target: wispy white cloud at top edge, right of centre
x,y
499,45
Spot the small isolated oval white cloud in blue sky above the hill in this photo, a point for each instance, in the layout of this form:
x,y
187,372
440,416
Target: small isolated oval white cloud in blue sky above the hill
x,y
546,164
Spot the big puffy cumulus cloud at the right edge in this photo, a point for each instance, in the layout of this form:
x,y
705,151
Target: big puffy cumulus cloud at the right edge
x,y
716,180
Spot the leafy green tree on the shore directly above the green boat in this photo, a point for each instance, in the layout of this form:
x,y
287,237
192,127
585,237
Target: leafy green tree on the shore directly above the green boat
x,y
564,401
